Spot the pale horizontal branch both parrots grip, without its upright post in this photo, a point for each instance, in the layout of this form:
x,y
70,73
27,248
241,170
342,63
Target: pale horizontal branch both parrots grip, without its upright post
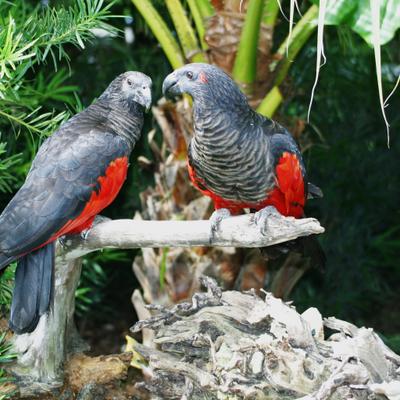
x,y
239,231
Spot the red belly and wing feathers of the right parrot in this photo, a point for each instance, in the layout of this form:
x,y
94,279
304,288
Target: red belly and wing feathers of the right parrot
x,y
288,197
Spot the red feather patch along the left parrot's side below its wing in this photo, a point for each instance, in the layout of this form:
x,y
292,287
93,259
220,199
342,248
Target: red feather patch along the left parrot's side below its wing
x,y
110,185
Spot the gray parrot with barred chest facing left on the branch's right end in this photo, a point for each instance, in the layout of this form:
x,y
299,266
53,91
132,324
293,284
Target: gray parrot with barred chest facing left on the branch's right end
x,y
239,158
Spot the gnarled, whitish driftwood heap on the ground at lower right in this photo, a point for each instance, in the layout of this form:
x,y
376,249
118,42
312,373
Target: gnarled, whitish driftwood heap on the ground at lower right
x,y
232,345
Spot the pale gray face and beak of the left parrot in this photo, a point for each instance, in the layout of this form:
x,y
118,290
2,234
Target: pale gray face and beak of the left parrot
x,y
136,86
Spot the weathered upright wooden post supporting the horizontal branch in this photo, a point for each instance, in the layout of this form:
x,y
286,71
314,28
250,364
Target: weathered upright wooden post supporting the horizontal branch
x,y
41,354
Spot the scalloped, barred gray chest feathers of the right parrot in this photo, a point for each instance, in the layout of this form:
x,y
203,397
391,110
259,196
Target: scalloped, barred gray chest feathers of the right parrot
x,y
234,165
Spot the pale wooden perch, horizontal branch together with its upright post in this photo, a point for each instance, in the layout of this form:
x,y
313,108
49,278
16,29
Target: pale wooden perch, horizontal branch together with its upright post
x,y
41,354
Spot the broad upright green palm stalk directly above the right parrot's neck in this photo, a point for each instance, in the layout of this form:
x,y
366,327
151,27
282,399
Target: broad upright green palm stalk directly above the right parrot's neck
x,y
244,69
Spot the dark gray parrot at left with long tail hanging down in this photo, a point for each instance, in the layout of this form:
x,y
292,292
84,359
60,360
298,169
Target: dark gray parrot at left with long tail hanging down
x,y
76,173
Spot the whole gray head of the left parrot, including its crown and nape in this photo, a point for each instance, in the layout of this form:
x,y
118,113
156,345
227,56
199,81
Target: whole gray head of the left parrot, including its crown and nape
x,y
131,87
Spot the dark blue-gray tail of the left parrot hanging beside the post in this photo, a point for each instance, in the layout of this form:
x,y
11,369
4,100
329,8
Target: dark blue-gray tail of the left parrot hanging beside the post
x,y
33,291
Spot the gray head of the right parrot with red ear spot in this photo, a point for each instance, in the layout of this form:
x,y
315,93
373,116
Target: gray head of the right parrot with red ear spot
x,y
202,81
